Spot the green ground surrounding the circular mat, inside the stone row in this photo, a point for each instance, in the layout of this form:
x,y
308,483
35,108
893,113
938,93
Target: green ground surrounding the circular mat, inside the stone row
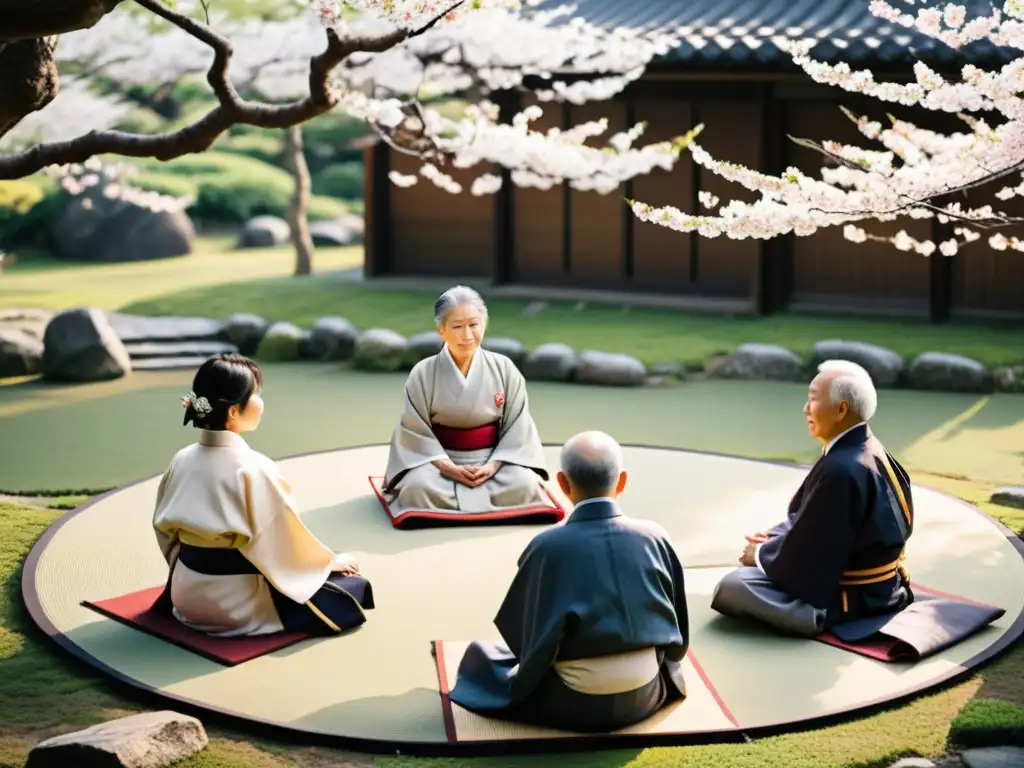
x,y
943,437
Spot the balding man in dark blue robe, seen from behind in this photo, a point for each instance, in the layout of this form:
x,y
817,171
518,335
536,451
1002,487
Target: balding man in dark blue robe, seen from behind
x,y
595,625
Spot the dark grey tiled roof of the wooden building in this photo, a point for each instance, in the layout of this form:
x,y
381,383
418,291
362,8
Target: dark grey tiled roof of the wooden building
x,y
737,34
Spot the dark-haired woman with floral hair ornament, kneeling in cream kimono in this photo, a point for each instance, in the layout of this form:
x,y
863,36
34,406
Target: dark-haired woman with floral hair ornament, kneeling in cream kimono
x,y
242,562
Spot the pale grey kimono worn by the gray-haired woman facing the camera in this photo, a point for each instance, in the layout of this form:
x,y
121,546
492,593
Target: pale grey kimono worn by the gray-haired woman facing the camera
x,y
438,394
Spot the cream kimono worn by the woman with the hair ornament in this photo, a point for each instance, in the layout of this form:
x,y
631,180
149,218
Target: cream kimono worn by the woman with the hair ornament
x,y
222,494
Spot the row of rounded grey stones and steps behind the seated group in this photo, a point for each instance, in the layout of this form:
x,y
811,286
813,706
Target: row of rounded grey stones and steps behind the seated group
x,y
182,343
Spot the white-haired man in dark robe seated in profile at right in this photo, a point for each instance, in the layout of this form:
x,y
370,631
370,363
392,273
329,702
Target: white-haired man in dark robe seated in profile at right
x,y
839,557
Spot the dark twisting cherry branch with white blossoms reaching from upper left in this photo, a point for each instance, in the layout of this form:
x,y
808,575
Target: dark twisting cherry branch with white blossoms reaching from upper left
x,y
385,61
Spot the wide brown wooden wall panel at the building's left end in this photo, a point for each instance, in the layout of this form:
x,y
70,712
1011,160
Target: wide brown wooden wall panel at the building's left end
x,y
436,233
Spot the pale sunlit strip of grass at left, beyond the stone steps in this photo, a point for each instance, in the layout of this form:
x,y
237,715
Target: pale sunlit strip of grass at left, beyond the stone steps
x,y
51,284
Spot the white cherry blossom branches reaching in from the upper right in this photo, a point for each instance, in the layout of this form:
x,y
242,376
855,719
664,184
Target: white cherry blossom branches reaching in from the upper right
x,y
912,172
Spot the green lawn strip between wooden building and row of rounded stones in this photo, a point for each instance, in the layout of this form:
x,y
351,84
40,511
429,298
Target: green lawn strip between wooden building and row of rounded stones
x,y
651,335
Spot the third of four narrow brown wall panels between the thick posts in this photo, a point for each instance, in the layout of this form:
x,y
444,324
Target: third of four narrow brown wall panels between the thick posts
x,y
662,257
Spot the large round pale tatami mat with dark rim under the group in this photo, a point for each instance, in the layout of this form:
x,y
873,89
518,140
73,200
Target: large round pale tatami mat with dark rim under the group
x,y
377,689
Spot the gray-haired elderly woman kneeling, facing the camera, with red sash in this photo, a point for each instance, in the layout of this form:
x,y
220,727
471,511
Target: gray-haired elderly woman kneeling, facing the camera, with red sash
x,y
465,443
